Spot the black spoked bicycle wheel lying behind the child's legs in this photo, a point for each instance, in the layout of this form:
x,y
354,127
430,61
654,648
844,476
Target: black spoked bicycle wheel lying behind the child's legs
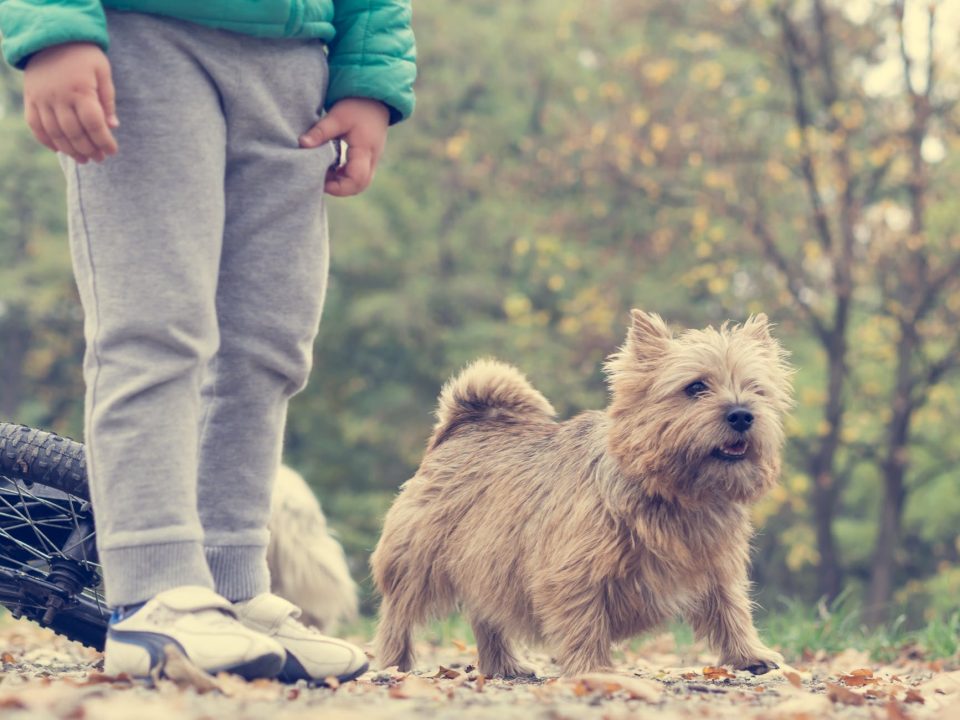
x,y
49,572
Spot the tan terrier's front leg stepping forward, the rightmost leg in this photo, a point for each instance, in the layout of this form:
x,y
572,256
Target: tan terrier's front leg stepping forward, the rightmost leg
x,y
722,616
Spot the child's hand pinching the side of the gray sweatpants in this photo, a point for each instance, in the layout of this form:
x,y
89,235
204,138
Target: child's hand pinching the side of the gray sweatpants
x,y
362,123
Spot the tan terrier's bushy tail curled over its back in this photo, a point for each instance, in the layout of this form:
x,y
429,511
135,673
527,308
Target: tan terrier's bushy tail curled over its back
x,y
483,390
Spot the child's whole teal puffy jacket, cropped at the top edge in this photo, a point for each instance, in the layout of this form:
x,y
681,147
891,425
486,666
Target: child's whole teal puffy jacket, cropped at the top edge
x,y
372,52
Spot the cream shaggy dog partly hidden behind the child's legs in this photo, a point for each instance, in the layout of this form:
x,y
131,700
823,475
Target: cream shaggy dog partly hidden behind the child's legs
x,y
307,565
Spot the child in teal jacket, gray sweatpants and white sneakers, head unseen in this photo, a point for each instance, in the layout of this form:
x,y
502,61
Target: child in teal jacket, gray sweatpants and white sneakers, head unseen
x,y
198,238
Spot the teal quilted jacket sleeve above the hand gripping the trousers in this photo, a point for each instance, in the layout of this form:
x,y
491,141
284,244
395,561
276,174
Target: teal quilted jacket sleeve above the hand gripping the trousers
x,y
373,54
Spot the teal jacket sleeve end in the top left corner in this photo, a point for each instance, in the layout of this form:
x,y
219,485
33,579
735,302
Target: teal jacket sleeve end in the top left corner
x,y
29,26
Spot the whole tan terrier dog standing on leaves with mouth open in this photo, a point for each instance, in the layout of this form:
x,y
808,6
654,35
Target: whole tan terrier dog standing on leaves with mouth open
x,y
596,529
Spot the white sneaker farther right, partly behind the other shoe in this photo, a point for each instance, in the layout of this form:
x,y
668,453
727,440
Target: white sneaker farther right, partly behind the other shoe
x,y
311,656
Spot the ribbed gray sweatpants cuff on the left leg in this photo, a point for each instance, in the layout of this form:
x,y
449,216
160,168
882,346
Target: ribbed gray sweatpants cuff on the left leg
x,y
135,574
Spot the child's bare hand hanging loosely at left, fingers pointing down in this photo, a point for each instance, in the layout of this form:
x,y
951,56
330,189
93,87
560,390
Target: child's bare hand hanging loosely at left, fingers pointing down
x,y
68,100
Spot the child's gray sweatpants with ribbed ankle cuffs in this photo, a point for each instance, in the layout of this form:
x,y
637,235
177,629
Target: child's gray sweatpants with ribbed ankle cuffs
x,y
200,252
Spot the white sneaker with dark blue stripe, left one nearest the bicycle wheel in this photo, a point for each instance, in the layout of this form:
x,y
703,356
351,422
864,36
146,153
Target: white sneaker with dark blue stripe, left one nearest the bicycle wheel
x,y
201,624
